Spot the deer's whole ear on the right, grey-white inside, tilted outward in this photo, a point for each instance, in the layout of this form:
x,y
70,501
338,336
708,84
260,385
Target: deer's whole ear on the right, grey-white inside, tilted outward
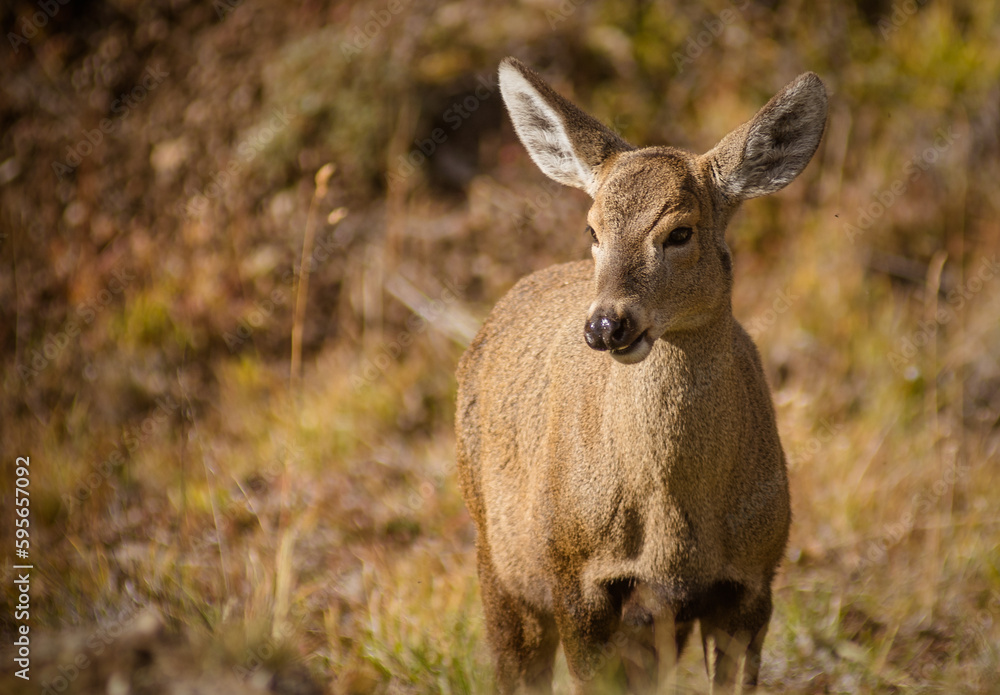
x,y
766,153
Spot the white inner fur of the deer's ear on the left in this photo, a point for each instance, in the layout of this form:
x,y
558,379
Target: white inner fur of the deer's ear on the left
x,y
543,133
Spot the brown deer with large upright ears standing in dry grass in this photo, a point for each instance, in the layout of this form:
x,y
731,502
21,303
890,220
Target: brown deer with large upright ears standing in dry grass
x,y
620,497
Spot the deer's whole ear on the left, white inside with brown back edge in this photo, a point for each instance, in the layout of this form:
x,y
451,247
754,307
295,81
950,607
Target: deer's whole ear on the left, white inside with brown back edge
x,y
568,145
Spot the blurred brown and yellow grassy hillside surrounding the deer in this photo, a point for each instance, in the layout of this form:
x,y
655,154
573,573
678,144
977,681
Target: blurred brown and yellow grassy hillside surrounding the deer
x,y
230,491
